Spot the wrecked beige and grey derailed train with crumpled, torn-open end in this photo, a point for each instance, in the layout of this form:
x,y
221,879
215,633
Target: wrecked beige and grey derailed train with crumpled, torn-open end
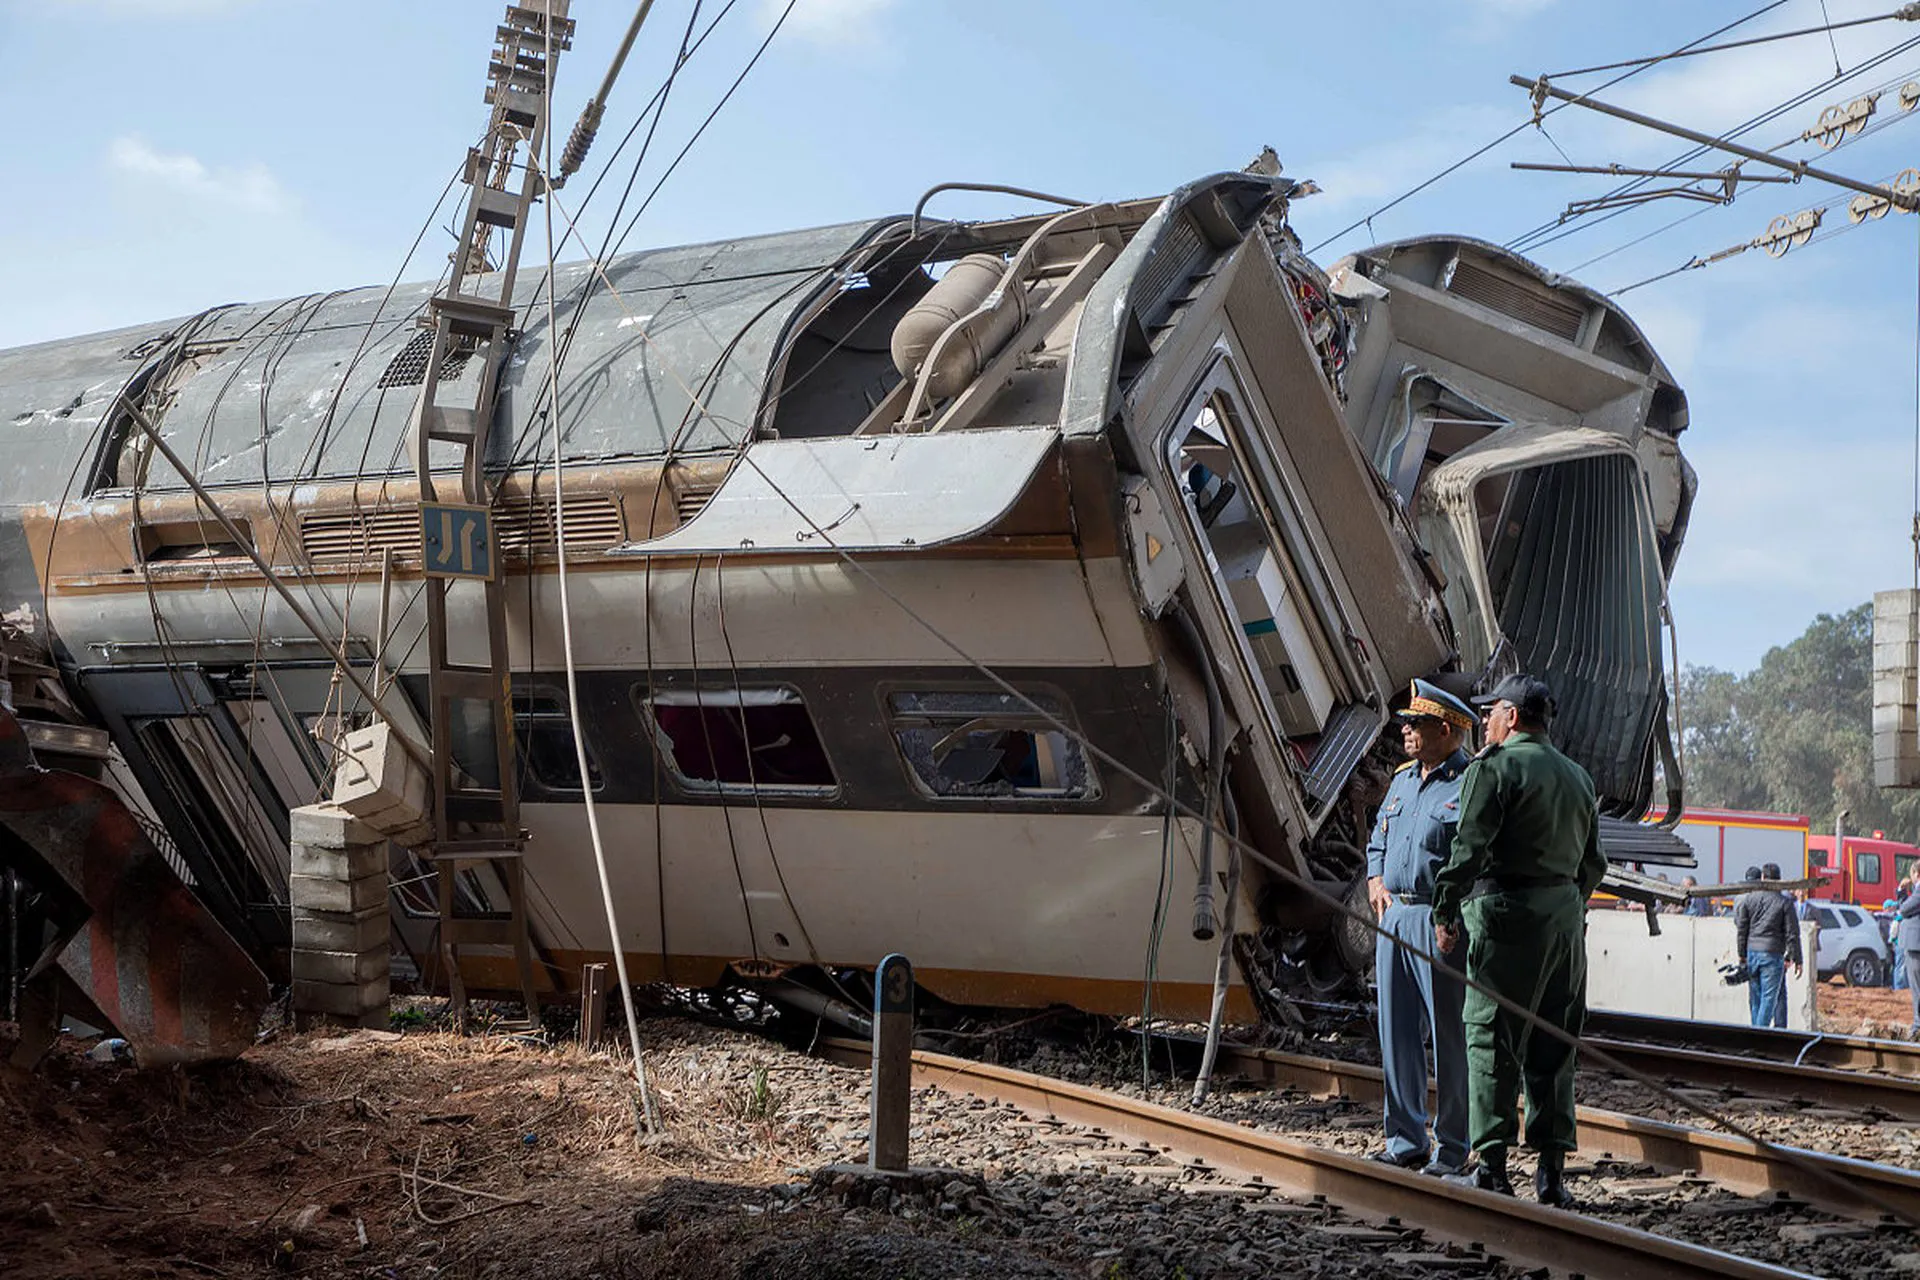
x,y
828,498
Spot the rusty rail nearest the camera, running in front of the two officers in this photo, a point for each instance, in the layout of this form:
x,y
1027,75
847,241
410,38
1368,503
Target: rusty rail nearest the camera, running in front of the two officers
x,y
1512,1229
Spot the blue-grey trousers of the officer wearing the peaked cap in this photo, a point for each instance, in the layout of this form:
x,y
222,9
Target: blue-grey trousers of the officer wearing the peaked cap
x,y
1416,1003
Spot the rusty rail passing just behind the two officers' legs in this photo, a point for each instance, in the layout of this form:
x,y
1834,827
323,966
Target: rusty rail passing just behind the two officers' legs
x,y
1729,1160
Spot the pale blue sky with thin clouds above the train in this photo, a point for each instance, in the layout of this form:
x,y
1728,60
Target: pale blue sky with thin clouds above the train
x,y
172,154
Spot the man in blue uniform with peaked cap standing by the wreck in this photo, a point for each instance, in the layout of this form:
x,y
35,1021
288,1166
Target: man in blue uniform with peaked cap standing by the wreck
x,y
1410,841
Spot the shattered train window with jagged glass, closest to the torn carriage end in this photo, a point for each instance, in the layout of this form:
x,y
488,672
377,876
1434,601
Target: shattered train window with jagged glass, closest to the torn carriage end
x,y
982,746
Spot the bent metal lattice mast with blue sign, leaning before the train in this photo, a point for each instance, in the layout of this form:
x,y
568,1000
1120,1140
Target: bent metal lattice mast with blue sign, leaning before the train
x,y
473,318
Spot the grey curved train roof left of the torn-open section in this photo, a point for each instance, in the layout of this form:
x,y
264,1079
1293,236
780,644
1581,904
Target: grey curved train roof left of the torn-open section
x,y
675,358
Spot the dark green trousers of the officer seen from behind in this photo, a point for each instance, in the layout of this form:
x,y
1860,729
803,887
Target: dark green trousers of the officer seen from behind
x,y
1531,947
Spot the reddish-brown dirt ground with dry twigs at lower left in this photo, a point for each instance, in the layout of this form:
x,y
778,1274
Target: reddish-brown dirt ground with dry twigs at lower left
x,y
410,1156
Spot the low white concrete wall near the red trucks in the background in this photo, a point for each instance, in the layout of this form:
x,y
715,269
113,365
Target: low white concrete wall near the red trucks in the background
x,y
1677,974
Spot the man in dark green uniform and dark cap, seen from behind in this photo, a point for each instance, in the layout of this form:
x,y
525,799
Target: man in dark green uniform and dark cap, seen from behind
x,y
1525,861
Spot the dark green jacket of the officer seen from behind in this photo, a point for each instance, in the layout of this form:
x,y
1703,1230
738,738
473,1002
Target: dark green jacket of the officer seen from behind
x,y
1525,813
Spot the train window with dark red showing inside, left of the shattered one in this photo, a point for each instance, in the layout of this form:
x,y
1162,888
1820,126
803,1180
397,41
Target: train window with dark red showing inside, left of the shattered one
x,y
738,740
